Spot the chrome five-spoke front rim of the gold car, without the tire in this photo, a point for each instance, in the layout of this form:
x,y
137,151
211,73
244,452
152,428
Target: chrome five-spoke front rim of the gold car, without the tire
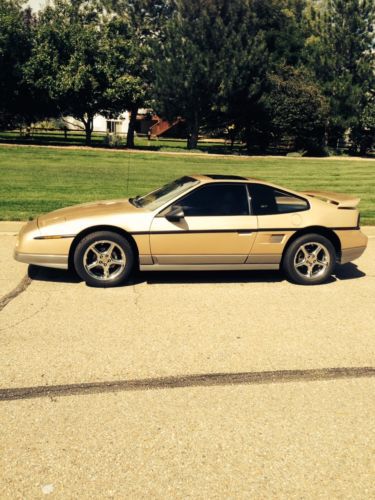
x,y
104,260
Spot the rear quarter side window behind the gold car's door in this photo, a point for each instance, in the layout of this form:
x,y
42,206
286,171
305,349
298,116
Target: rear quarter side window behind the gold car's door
x,y
266,200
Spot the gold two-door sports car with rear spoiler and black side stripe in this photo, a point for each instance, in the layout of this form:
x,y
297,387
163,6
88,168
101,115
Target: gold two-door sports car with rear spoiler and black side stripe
x,y
199,222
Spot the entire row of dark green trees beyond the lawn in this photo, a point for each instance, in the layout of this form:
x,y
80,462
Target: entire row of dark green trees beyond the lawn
x,y
264,71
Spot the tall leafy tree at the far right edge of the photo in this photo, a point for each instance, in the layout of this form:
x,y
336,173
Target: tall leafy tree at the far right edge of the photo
x,y
341,51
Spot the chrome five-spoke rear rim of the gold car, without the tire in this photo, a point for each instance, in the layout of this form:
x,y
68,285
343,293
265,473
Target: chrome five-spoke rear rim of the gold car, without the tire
x,y
311,260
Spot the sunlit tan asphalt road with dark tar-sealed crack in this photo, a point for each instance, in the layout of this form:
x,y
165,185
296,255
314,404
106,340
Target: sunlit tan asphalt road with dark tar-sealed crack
x,y
199,385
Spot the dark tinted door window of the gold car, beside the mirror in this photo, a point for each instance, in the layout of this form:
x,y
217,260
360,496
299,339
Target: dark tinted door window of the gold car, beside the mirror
x,y
216,200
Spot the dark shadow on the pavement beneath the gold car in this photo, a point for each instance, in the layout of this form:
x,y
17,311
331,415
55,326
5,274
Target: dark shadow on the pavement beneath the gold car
x,y
343,272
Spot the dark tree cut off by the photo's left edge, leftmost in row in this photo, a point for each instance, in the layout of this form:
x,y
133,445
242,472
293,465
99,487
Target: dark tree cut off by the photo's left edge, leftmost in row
x,y
15,46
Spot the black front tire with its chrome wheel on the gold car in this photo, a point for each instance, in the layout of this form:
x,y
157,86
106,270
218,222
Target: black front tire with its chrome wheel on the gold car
x,y
114,257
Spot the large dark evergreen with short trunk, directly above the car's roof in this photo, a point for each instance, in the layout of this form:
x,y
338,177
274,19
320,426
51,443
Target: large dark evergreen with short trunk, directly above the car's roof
x,y
204,45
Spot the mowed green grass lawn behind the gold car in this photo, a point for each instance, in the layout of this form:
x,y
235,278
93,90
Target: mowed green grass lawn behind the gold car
x,y
36,180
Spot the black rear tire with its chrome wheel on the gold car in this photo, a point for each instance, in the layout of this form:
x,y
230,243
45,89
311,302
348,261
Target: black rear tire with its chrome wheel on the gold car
x,y
303,262
